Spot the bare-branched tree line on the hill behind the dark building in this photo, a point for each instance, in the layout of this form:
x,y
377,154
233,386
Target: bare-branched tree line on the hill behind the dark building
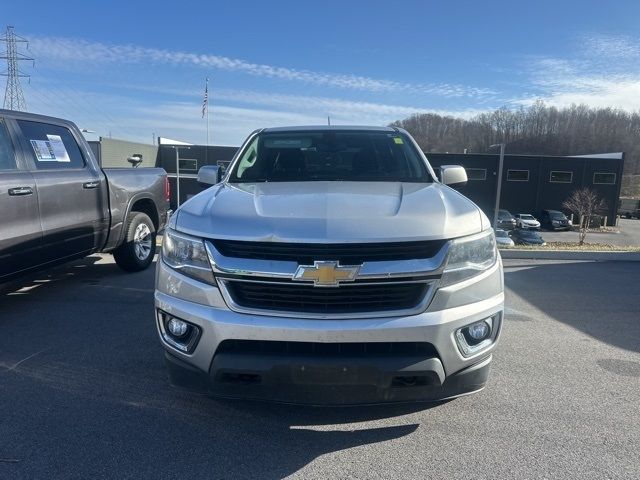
x,y
539,130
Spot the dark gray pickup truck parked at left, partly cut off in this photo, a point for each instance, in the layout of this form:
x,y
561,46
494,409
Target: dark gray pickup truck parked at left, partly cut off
x,y
57,204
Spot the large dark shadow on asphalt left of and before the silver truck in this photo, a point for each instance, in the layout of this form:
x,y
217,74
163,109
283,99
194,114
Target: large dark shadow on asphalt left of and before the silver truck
x,y
80,359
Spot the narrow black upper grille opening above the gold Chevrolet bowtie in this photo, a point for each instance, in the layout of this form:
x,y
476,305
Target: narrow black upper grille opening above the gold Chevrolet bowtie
x,y
345,253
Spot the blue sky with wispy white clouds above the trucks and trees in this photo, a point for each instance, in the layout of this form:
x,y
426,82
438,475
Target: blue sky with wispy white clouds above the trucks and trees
x,y
135,69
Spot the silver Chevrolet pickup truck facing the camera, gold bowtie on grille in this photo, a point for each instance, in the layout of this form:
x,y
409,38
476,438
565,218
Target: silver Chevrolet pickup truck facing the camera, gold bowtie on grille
x,y
330,265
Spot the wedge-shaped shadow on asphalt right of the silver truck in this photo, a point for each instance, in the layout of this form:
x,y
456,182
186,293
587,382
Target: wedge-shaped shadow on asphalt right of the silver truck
x,y
597,298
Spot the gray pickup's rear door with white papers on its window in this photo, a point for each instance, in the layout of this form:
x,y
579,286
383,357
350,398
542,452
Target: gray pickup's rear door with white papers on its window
x,y
70,191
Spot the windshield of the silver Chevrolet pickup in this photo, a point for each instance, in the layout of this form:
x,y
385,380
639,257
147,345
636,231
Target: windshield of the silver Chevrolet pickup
x,y
367,156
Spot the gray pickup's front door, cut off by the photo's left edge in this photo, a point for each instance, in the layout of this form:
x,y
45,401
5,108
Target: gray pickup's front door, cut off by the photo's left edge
x,y
20,231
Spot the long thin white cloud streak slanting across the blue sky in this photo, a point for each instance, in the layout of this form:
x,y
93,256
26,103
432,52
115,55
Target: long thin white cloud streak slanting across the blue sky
x,y
60,49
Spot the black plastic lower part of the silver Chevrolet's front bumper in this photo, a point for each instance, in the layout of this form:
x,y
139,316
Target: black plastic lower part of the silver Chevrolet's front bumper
x,y
317,381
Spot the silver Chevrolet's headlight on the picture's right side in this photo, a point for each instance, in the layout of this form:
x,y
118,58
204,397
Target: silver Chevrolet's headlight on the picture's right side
x,y
469,256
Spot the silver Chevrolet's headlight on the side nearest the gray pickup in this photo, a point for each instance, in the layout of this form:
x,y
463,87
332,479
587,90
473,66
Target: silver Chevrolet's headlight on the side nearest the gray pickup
x,y
187,255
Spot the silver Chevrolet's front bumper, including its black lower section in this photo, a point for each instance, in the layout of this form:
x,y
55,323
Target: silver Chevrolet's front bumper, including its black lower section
x,y
337,378
